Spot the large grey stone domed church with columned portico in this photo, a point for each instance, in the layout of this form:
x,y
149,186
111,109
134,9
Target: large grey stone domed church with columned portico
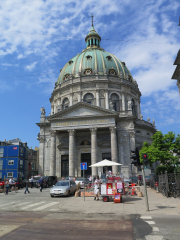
x,y
95,115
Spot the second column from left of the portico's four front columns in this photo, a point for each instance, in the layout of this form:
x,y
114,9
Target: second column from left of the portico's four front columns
x,y
71,153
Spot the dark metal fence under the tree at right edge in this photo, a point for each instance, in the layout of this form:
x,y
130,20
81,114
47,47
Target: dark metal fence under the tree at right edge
x,y
166,181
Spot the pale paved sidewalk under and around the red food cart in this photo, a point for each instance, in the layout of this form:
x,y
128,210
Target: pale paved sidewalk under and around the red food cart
x,y
158,205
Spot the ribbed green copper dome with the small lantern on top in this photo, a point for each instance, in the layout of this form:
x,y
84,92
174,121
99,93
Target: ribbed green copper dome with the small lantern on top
x,y
93,60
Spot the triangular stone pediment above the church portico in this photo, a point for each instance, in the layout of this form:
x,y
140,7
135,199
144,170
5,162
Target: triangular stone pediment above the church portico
x,y
81,109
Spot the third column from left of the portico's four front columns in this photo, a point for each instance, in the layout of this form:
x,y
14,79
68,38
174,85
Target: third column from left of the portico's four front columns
x,y
94,149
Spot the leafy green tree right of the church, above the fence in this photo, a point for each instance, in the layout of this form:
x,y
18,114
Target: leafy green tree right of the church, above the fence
x,y
165,149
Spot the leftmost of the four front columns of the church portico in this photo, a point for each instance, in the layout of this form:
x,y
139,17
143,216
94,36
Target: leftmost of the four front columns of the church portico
x,y
53,154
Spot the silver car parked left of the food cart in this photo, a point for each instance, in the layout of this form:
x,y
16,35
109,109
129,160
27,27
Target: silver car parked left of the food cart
x,y
63,188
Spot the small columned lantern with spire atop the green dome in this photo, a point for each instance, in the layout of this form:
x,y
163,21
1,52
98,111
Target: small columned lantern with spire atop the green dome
x,y
93,39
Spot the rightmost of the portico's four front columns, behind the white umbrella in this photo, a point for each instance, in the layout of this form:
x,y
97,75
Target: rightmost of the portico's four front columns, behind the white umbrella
x,y
114,155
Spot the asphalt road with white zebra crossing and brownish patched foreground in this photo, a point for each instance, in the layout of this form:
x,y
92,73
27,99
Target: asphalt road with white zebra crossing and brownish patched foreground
x,y
38,216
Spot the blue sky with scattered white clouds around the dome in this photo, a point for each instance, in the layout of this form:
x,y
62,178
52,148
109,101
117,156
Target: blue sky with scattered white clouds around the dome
x,y
38,37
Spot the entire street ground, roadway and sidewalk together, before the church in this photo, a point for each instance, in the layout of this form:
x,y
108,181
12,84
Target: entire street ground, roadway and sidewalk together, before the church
x,y
38,216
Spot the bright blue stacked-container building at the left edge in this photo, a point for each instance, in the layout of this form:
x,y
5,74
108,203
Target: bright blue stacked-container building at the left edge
x,y
13,159
